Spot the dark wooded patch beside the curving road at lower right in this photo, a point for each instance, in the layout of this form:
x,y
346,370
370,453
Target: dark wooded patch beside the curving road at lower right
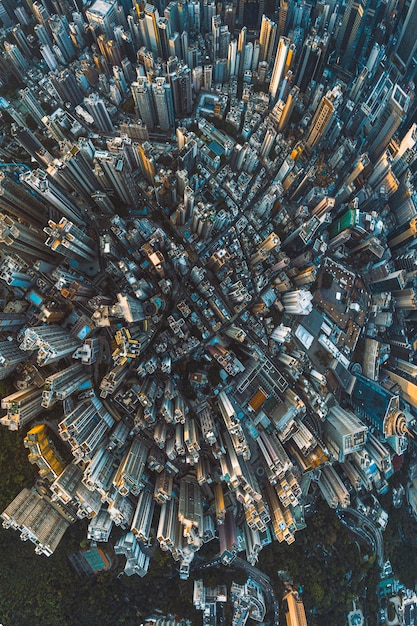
x,y
331,568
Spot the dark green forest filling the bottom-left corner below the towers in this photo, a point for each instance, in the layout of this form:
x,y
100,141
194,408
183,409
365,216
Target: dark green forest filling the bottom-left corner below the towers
x,y
43,591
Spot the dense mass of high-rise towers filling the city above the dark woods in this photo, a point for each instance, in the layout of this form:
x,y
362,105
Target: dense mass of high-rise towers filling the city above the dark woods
x,y
207,264
